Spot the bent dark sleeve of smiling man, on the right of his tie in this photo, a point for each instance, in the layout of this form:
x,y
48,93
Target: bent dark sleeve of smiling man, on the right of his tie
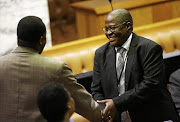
x,y
151,78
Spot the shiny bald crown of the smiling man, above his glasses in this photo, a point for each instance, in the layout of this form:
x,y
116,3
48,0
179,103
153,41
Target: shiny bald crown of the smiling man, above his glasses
x,y
120,15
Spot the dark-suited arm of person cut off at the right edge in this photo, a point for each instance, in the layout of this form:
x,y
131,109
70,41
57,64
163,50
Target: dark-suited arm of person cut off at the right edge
x,y
174,88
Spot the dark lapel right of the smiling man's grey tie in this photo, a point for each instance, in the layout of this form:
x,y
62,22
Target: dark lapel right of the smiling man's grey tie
x,y
131,55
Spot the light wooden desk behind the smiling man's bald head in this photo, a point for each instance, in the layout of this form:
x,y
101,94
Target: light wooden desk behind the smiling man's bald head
x,y
90,15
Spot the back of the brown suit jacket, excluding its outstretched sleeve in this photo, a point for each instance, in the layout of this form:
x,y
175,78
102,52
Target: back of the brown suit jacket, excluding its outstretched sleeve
x,y
22,73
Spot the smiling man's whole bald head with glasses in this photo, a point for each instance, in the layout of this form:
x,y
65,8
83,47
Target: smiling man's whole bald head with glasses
x,y
118,27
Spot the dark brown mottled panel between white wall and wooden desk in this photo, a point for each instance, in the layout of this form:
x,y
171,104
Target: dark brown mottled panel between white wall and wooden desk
x,y
62,18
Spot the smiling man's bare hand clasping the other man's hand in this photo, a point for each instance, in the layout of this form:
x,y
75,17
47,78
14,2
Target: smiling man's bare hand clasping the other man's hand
x,y
110,109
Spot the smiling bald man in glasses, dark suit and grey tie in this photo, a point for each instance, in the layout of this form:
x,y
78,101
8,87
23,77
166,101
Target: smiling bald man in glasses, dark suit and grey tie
x,y
128,75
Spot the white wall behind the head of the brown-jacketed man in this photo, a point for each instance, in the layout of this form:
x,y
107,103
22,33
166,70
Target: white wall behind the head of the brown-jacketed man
x,y
11,11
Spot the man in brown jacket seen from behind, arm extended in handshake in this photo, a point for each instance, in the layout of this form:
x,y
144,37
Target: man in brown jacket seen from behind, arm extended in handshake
x,y
24,71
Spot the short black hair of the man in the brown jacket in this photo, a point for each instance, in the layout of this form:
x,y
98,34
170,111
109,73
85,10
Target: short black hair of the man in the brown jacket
x,y
30,28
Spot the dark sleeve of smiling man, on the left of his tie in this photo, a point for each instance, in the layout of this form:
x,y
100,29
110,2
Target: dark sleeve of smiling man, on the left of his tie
x,y
96,88
